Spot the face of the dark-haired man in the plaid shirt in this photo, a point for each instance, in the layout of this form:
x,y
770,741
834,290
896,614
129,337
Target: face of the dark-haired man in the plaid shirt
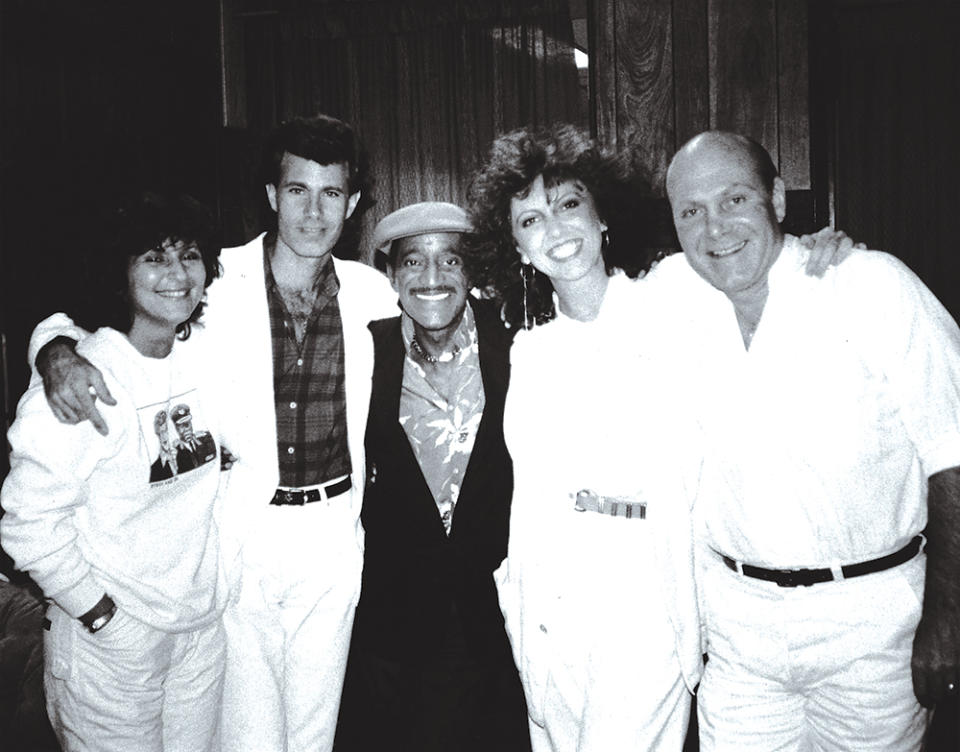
x,y
312,202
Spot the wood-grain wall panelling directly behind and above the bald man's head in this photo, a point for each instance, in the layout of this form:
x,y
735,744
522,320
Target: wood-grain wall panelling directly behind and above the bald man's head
x,y
666,70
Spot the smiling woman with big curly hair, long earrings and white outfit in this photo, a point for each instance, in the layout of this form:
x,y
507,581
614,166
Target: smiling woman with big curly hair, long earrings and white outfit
x,y
603,623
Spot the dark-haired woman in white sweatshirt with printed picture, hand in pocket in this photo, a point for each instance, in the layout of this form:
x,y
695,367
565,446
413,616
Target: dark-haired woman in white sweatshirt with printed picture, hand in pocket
x,y
120,536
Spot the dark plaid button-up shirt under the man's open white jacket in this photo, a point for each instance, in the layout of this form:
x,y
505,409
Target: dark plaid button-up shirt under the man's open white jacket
x,y
308,385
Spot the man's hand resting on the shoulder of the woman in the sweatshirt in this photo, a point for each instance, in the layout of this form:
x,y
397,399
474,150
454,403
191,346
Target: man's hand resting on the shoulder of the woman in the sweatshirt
x,y
72,384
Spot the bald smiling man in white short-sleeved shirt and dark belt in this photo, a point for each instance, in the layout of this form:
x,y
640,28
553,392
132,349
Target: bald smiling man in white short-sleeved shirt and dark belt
x,y
830,411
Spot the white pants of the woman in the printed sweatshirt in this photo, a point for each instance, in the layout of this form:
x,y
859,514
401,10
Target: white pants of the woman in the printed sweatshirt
x,y
132,687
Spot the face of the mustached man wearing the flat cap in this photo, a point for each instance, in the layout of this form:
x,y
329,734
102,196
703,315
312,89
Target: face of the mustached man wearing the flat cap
x,y
428,275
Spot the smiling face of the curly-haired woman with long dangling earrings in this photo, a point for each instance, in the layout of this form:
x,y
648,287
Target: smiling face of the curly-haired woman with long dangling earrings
x,y
558,230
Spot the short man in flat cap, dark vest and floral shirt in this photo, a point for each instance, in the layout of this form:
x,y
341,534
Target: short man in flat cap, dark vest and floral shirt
x,y
430,665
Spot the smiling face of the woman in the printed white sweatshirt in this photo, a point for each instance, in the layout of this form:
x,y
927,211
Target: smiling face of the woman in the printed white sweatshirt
x,y
165,285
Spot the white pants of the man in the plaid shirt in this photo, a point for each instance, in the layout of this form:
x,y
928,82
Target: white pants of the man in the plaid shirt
x,y
288,633
